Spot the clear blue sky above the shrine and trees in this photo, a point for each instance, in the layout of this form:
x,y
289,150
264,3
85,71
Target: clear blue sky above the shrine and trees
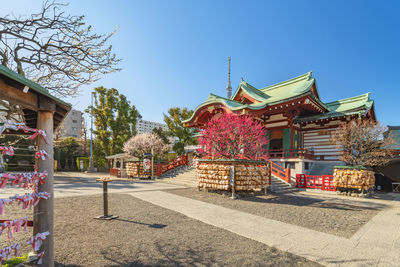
x,y
175,52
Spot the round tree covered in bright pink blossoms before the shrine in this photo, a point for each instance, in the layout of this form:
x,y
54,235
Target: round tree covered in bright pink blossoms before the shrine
x,y
232,136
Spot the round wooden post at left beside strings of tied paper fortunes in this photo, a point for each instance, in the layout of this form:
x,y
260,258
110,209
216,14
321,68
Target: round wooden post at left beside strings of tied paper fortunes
x,y
44,211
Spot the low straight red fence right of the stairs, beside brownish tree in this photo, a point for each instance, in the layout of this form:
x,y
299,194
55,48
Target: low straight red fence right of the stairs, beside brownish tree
x,y
323,182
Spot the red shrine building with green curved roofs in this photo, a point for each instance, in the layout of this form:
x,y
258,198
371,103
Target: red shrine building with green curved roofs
x,y
298,123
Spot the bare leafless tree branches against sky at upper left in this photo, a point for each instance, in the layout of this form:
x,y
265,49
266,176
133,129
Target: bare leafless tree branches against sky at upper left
x,y
56,50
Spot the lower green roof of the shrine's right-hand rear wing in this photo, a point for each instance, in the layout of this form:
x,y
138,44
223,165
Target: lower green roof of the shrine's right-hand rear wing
x,y
345,107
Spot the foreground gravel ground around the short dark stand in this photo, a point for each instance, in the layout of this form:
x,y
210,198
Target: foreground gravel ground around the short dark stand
x,y
148,235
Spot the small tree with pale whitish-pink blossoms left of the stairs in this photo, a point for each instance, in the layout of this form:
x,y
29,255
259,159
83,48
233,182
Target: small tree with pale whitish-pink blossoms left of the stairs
x,y
143,143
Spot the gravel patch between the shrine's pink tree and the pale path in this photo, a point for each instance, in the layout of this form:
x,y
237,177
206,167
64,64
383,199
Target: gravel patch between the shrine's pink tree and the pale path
x,y
325,214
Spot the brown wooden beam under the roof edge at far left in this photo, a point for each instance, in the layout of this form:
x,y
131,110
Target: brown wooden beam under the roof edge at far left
x,y
16,96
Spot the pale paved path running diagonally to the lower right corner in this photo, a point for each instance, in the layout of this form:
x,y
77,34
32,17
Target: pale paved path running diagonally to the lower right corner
x,y
375,244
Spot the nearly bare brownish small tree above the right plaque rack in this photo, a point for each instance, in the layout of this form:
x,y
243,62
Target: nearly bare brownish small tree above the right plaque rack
x,y
362,143
